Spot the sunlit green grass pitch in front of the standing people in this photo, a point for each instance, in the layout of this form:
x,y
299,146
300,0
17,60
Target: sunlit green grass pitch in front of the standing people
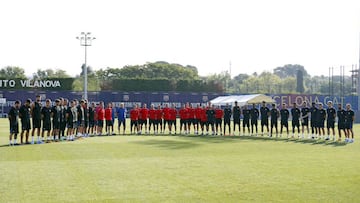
x,y
180,169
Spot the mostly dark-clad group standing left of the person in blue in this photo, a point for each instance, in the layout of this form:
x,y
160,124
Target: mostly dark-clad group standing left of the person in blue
x,y
58,122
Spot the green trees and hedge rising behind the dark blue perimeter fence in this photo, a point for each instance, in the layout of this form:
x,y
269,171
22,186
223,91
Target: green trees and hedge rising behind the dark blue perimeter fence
x,y
164,76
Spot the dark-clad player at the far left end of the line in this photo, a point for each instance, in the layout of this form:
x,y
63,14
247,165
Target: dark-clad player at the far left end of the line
x,y
13,116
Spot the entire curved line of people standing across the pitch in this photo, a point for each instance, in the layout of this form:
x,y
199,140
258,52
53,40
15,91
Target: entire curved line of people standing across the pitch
x,y
79,119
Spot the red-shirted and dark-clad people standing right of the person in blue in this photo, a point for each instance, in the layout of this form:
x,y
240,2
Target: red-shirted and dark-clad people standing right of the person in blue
x,y
210,116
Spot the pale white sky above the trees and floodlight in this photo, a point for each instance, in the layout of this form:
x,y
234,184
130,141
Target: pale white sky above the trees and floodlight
x,y
255,35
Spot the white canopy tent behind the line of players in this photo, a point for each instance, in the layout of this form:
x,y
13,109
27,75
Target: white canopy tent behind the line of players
x,y
242,99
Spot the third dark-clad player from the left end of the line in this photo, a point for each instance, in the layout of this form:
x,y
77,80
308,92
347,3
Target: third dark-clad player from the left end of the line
x,y
36,118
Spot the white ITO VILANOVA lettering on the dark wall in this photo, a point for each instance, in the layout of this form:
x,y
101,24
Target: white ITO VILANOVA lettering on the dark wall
x,y
31,84
